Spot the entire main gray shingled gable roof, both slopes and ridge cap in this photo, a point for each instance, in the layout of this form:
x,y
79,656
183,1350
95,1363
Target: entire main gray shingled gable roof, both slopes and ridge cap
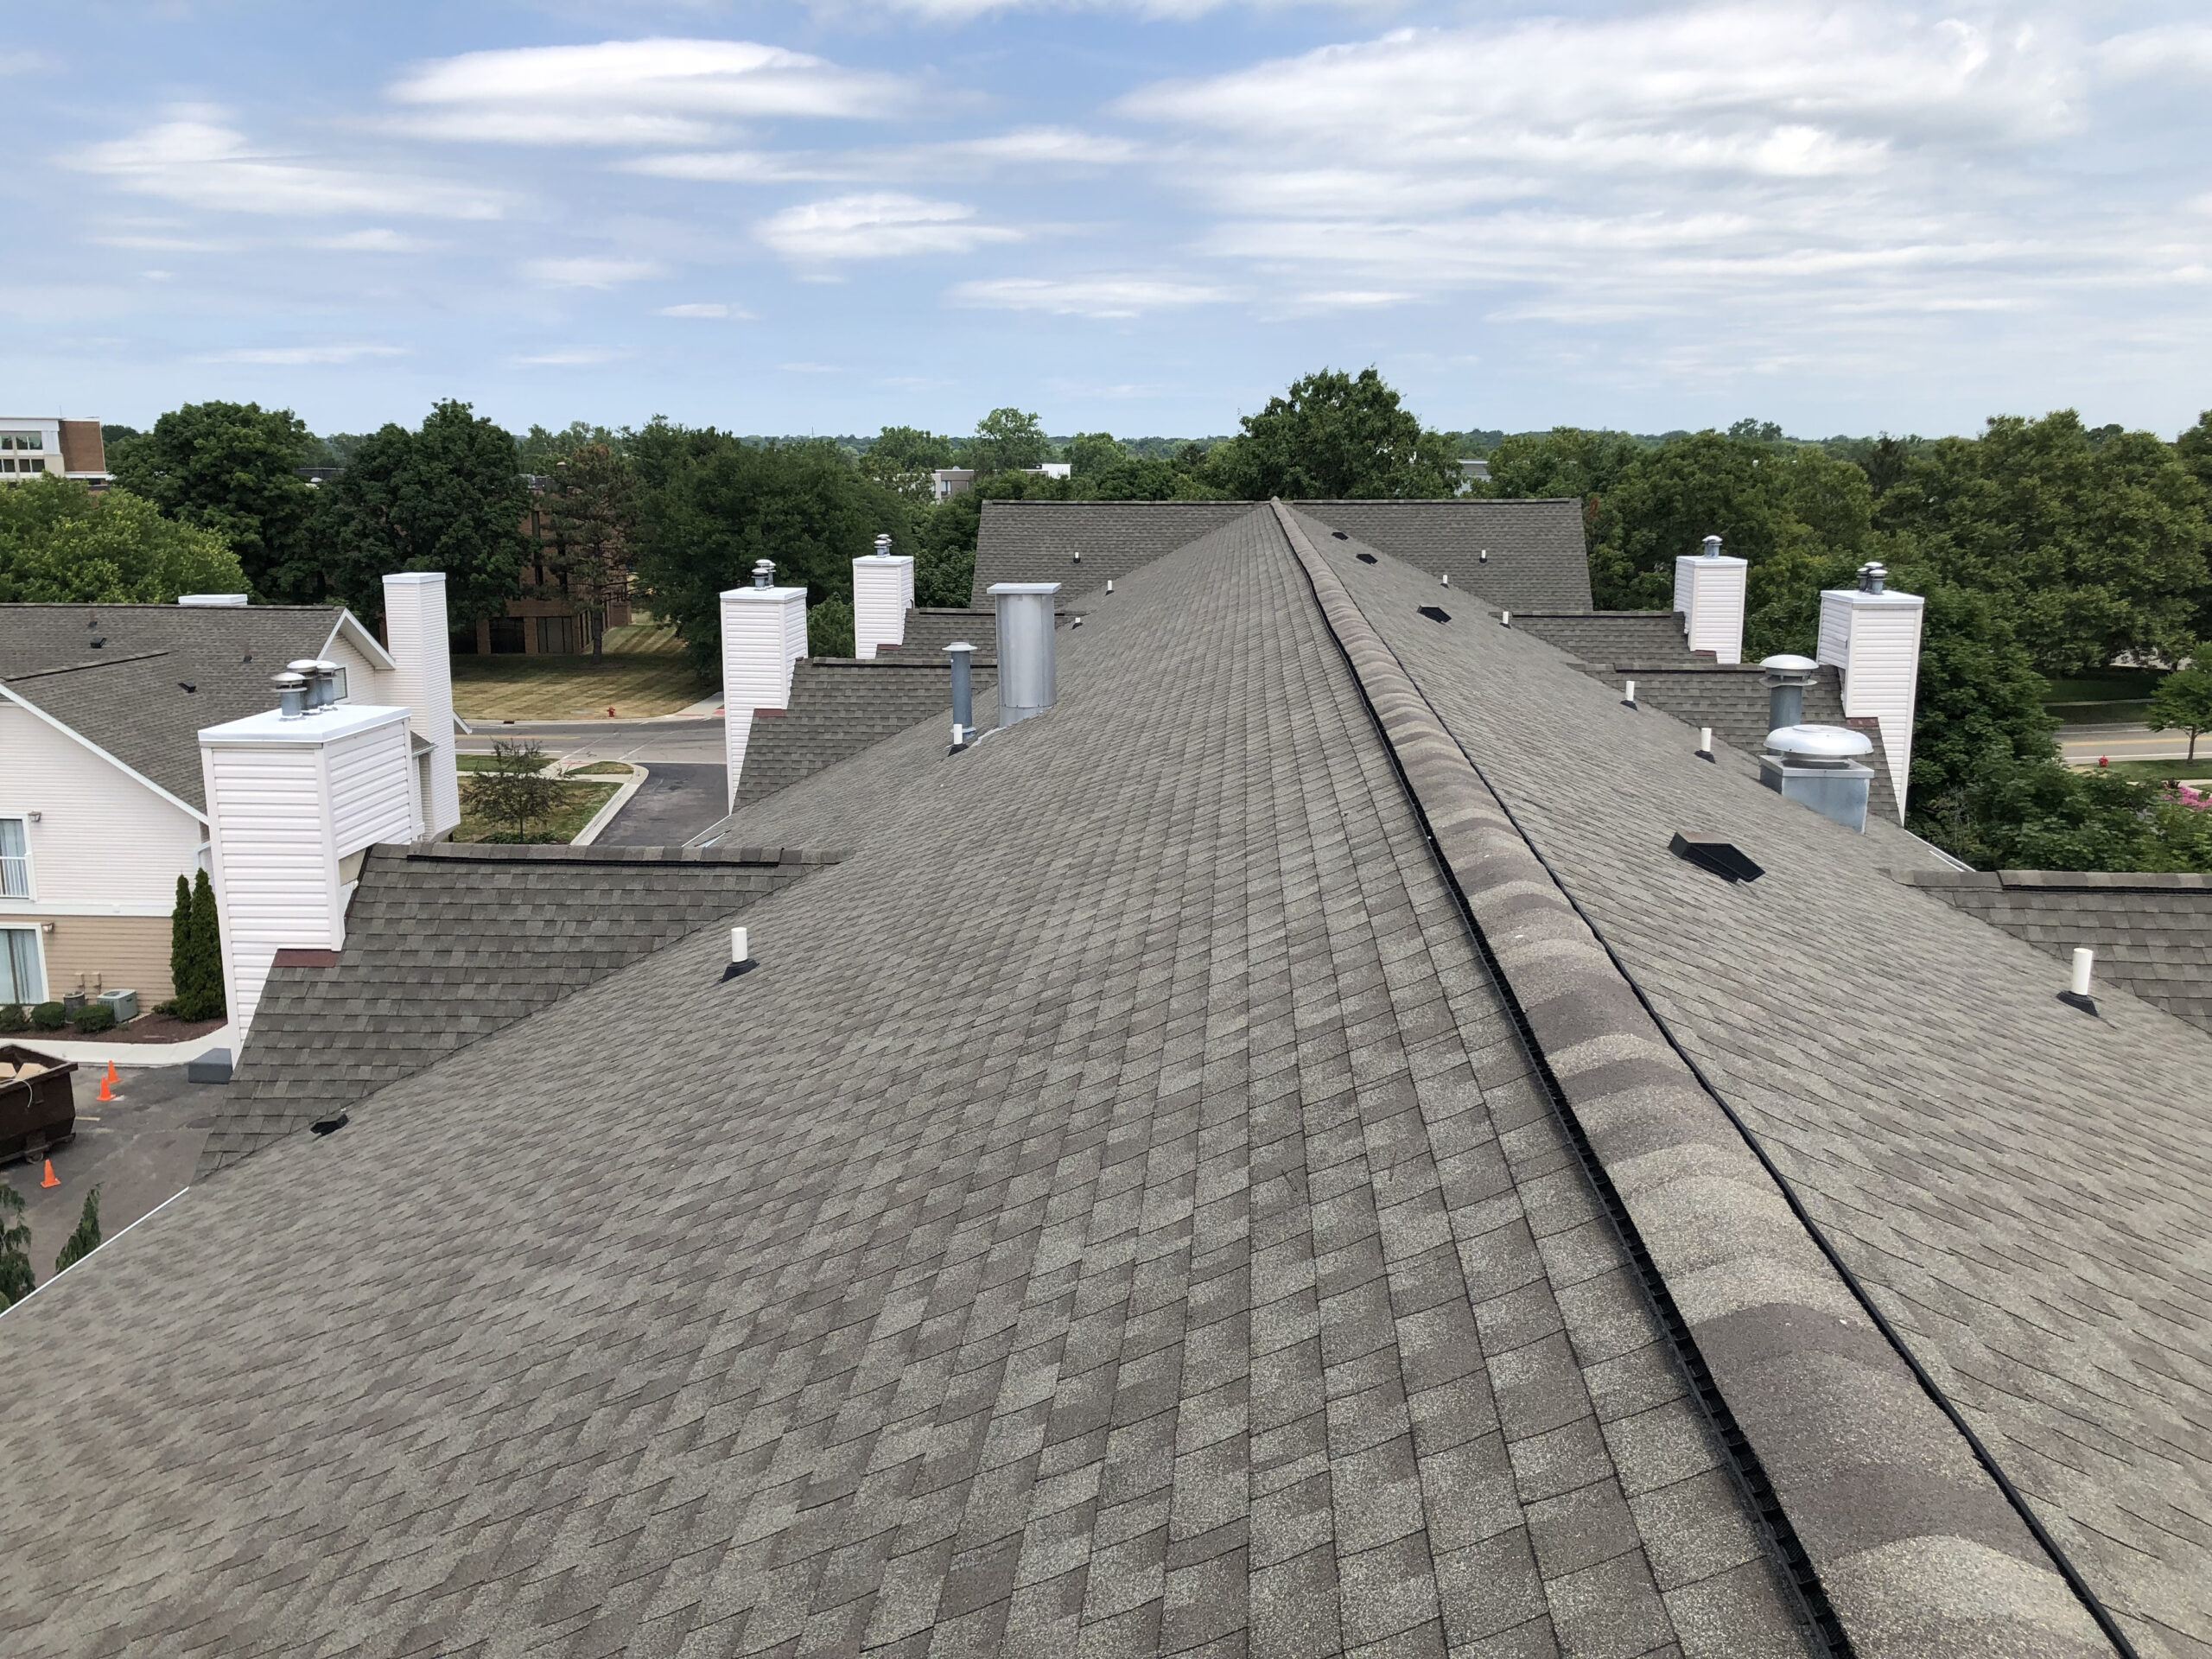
x,y
1271,1156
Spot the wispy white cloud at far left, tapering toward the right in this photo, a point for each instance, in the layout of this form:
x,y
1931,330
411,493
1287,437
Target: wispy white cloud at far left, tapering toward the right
x,y
205,165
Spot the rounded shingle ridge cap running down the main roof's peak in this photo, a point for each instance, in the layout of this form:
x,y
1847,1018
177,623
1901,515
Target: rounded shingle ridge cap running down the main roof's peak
x,y
1914,1543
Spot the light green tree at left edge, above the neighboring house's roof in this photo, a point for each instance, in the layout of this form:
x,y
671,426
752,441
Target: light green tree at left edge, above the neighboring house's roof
x,y
65,545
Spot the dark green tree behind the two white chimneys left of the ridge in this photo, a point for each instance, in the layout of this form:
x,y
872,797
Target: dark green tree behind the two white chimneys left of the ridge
x,y
716,505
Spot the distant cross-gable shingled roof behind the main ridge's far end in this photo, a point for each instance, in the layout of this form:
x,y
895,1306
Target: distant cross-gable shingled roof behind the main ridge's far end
x,y
1536,550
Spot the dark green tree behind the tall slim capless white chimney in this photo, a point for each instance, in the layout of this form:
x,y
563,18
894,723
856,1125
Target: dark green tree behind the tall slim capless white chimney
x,y
444,499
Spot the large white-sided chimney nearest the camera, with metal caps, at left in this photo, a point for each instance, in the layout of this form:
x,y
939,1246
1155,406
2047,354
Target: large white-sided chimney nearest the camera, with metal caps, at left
x,y
293,806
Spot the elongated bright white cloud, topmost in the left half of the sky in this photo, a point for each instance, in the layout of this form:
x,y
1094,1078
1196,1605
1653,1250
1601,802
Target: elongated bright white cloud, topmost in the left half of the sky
x,y
634,92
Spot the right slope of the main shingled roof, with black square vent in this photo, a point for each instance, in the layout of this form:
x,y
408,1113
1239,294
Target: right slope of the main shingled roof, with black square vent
x,y
2023,1189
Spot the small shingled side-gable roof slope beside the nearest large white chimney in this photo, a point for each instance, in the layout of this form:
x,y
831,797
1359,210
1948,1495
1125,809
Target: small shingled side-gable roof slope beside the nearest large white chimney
x,y
450,943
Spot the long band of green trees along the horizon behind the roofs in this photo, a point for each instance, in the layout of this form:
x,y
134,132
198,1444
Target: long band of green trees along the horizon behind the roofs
x,y
2045,547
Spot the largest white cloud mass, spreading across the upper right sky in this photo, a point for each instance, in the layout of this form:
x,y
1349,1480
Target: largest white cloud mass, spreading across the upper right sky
x,y
1658,163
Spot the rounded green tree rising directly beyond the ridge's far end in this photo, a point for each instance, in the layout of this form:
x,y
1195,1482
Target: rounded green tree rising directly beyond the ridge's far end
x,y
1337,437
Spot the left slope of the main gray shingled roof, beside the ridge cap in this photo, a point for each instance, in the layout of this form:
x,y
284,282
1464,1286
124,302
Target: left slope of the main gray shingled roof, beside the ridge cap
x,y
1114,1218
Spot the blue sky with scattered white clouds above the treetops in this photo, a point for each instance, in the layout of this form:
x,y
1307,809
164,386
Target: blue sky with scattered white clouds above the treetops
x,y
1125,216
